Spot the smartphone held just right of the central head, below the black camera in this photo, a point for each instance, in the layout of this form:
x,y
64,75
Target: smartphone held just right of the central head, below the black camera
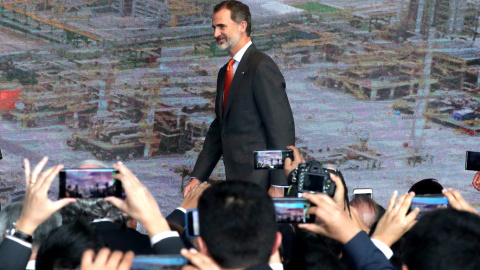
x,y
293,210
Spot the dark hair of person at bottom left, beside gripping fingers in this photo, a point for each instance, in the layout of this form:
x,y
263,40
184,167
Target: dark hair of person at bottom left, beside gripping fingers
x,y
65,245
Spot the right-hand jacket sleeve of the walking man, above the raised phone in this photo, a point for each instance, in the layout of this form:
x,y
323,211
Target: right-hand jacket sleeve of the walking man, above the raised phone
x,y
274,109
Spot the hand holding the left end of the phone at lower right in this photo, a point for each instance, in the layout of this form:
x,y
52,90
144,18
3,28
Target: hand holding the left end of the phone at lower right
x,y
395,222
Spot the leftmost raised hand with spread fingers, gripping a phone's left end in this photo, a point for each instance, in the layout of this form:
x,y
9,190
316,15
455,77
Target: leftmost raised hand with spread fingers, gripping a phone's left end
x,y
37,207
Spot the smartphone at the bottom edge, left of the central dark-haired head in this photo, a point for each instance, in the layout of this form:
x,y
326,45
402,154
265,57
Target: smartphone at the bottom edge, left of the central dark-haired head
x,y
157,262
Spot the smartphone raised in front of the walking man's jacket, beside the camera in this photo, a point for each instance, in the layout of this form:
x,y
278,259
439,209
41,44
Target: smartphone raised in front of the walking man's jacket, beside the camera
x,y
270,159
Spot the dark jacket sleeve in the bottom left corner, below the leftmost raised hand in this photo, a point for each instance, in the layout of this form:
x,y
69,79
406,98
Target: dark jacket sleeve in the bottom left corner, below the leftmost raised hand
x,y
14,255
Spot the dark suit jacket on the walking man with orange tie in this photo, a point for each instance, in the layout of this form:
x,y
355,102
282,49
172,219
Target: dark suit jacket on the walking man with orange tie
x,y
257,116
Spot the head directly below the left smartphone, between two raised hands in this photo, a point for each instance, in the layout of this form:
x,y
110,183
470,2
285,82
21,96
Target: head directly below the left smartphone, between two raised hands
x,y
91,209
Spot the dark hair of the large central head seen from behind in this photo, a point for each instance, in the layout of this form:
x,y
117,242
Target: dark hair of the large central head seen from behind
x,y
237,224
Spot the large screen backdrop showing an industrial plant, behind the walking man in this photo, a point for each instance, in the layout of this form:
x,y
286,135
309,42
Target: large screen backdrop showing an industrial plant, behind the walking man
x,y
387,91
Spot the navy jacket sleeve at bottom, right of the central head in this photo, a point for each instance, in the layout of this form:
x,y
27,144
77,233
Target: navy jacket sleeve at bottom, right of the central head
x,y
365,255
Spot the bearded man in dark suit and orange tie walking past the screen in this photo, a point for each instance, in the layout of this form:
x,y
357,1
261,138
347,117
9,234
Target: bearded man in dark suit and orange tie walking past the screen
x,y
252,109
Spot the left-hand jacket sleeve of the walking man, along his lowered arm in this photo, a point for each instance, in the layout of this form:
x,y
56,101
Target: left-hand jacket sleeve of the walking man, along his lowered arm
x,y
210,154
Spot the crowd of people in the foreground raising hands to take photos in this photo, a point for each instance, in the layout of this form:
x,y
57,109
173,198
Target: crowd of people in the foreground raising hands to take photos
x,y
238,228
